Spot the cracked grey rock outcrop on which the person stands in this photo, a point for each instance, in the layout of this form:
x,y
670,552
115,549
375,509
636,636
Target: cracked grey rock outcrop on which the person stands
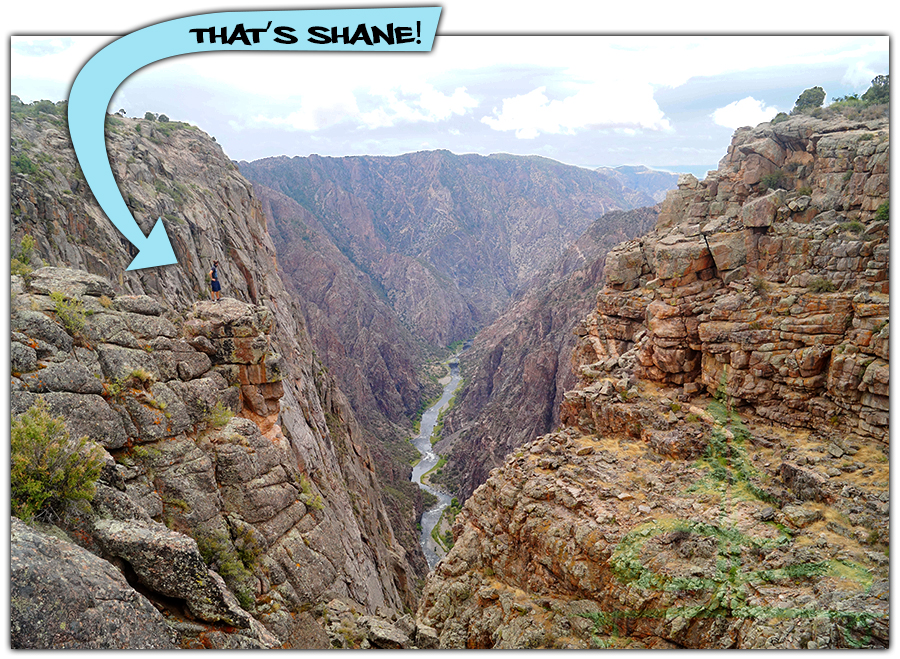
x,y
201,483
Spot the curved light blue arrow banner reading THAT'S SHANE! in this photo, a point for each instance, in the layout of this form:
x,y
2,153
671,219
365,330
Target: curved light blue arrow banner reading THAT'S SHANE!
x,y
407,29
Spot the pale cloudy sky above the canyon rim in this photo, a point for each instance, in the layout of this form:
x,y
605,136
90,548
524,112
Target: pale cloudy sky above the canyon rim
x,y
668,102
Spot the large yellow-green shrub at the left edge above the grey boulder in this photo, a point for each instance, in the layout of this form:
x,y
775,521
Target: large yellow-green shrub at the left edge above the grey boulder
x,y
48,468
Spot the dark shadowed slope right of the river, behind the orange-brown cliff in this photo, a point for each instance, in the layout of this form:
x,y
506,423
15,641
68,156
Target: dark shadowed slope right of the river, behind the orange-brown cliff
x,y
518,367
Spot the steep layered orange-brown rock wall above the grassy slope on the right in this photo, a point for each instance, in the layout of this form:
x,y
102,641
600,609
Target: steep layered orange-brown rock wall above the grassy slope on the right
x,y
779,297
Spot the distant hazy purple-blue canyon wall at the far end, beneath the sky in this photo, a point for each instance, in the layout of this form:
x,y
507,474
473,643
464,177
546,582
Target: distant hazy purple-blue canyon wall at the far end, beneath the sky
x,y
446,238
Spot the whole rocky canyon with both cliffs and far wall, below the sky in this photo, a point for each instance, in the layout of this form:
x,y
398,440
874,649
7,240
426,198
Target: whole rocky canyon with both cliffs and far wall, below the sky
x,y
672,430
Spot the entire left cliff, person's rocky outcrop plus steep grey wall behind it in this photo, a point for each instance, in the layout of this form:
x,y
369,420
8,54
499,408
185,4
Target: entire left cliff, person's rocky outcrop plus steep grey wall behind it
x,y
287,485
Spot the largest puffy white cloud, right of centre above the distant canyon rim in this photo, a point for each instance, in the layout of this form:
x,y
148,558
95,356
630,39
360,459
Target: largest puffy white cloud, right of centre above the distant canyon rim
x,y
624,104
